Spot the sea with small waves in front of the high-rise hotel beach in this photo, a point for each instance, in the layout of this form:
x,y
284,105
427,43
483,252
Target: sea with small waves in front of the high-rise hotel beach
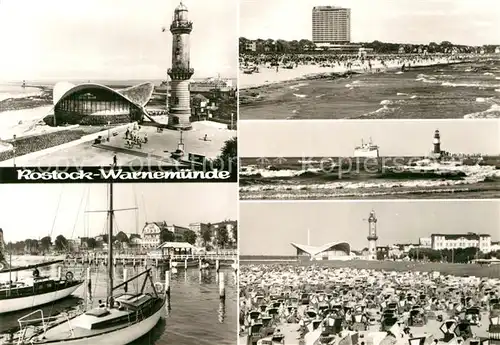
x,y
457,91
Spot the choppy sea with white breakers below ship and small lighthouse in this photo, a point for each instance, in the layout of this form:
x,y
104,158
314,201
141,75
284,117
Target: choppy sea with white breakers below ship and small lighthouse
x,y
320,178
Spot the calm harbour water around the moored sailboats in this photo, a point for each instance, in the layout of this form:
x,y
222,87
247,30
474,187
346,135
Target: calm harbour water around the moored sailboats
x,y
195,315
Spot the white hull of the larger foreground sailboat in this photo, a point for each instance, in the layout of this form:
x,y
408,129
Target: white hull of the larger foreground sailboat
x,y
121,336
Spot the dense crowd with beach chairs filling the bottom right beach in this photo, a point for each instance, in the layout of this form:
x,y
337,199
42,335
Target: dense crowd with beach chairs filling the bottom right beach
x,y
324,305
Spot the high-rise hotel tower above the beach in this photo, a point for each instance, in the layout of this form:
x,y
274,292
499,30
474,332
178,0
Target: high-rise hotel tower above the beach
x,y
331,24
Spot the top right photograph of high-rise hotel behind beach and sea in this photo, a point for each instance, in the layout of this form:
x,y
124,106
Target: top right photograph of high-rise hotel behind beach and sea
x,y
377,59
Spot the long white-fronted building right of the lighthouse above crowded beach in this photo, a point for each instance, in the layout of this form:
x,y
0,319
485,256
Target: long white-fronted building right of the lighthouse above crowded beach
x,y
455,241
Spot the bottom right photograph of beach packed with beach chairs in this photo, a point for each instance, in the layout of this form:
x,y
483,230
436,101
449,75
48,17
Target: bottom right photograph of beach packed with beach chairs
x,y
381,272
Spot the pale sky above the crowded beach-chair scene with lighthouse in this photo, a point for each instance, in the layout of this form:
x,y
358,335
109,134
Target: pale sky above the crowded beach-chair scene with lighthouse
x,y
267,228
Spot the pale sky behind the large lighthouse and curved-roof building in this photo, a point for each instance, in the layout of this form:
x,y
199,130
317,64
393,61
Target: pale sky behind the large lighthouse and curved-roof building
x,y
112,39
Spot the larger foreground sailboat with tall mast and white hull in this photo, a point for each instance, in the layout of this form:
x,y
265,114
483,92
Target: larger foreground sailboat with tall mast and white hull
x,y
120,320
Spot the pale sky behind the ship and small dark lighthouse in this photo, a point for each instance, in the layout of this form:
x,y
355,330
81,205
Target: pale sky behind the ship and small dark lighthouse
x,y
339,138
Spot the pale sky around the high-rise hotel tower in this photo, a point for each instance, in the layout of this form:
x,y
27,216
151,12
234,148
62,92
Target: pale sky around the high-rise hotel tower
x,y
468,22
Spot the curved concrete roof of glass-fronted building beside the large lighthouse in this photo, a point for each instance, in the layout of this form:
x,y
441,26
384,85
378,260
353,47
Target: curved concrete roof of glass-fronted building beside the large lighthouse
x,y
138,95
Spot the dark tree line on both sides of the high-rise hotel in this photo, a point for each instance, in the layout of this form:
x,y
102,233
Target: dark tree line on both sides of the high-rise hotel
x,y
307,46
